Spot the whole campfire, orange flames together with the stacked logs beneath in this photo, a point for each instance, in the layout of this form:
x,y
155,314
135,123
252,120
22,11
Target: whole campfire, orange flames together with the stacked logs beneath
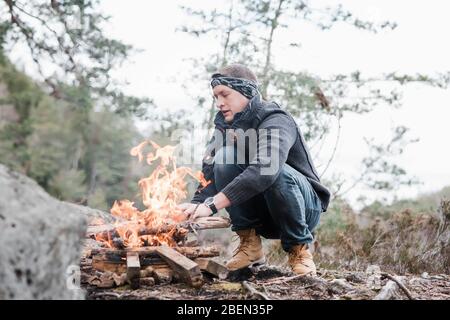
x,y
152,243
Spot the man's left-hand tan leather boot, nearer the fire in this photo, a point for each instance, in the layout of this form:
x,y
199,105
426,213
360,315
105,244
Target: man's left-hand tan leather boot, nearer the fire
x,y
249,251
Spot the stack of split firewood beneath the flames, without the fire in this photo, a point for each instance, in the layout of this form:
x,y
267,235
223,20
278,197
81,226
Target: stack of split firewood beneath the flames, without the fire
x,y
158,264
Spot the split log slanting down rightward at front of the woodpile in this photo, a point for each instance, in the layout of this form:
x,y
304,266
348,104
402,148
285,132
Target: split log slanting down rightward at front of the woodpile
x,y
186,269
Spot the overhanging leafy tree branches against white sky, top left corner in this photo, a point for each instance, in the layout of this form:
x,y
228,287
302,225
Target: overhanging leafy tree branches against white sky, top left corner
x,y
69,36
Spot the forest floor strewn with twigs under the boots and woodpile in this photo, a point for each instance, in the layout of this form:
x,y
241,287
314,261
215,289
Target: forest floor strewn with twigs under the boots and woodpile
x,y
271,282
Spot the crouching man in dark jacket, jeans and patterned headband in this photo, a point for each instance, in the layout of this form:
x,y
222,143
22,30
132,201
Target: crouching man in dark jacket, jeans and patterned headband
x,y
271,191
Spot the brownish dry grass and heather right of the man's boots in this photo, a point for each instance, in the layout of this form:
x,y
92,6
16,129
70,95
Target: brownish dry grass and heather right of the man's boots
x,y
403,243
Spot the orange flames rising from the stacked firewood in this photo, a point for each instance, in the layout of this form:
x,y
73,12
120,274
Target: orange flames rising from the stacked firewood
x,y
161,191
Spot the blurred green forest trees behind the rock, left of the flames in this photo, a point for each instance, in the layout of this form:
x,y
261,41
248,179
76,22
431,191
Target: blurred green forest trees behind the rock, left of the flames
x,y
75,153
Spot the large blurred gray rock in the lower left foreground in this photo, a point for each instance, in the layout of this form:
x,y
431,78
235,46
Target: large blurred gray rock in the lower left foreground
x,y
40,241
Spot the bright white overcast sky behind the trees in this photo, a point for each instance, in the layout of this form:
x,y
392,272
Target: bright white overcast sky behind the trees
x,y
419,44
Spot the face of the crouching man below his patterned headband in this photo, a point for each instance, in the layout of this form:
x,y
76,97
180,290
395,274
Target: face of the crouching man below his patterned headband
x,y
229,101
